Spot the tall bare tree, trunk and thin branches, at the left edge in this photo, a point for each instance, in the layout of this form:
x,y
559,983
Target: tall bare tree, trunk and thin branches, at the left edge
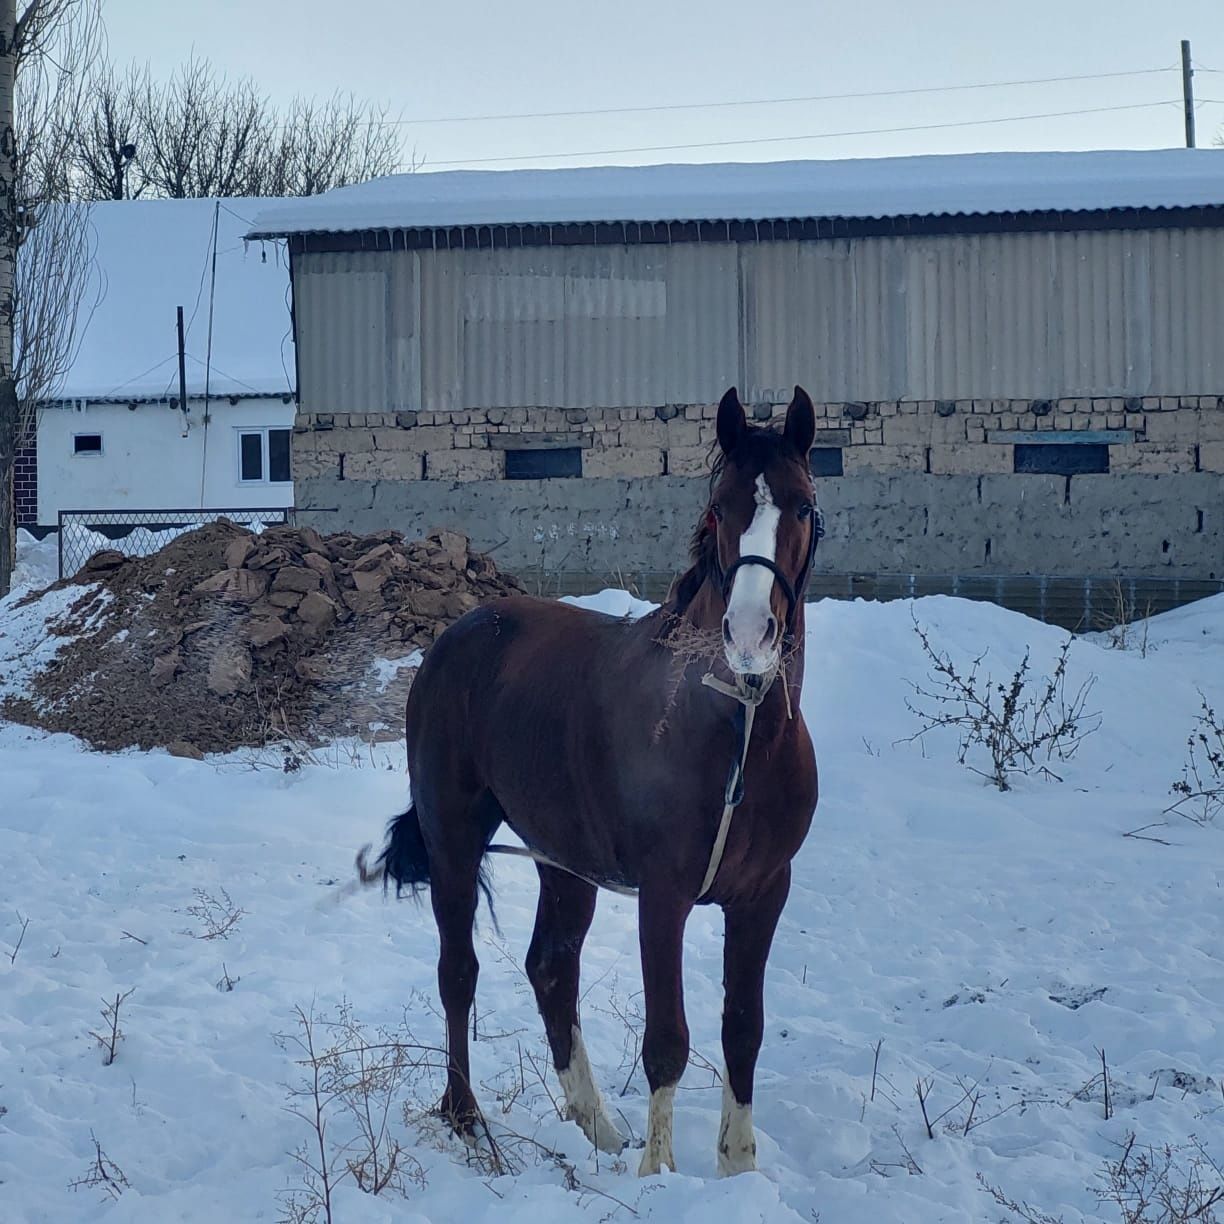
x,y
46,52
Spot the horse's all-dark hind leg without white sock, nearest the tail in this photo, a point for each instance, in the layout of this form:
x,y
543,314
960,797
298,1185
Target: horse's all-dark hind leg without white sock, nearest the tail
x,y
456,853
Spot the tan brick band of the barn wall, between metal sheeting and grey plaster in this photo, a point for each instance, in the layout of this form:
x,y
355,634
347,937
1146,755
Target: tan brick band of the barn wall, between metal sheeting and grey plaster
x,y
1152,436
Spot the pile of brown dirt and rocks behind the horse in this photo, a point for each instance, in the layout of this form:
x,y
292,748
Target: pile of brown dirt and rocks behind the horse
x,y
226,640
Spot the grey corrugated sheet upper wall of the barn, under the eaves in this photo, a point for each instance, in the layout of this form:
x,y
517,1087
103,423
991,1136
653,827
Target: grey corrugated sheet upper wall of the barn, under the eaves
x,y
1037,315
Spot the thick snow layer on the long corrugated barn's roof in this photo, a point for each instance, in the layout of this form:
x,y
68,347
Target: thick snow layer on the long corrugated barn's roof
x,y
879,188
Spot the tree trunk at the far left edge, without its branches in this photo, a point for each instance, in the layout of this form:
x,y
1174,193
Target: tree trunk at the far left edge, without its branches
x,y
9,408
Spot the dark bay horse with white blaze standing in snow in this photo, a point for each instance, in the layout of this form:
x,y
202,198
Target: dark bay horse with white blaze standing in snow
x,y
603,745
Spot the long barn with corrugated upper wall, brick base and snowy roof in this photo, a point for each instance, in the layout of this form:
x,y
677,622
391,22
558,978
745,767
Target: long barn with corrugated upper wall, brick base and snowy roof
x,y
535,356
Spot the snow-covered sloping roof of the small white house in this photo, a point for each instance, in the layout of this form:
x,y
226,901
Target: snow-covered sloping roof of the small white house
x,y
152,256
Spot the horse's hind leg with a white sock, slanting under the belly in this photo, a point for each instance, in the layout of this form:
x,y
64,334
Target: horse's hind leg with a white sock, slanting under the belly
x,y
564,916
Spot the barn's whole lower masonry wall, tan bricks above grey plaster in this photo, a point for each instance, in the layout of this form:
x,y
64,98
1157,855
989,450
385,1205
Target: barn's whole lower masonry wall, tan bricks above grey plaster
x,y
926,489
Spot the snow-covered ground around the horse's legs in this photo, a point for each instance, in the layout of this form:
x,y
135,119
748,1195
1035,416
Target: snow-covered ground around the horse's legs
x,y
985,938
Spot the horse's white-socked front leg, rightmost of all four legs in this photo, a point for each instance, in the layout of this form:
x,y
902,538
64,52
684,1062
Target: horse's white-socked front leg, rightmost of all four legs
x,y
750,933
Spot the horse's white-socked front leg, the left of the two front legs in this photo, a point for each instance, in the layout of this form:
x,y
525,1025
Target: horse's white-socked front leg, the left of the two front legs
x,y
662,917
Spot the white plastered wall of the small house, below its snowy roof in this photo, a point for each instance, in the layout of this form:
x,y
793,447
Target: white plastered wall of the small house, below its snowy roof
x,y
150,462
